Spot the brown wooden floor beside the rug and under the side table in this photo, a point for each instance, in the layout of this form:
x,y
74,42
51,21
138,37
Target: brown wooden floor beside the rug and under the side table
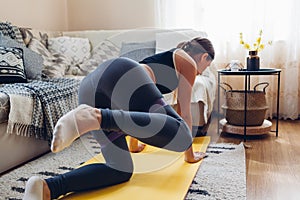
x,y
273,163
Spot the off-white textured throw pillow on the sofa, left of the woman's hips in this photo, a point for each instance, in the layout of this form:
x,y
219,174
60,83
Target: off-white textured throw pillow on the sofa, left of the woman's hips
x,y
76,49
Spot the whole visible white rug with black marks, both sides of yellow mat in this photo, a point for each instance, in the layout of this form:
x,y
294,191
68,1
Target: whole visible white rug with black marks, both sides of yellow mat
x,y
222,175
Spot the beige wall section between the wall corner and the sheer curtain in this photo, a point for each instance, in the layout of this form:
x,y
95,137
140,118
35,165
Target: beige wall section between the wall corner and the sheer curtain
x,y
110,14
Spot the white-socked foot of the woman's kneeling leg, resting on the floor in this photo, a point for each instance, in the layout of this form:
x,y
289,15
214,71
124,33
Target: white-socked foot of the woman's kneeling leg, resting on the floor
x,y
36,189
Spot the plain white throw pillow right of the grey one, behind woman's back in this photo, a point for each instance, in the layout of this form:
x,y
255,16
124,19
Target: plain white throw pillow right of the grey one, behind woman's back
x,y
169,40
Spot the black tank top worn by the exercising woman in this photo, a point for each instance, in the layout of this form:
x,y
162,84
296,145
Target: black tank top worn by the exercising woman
x,y
164,70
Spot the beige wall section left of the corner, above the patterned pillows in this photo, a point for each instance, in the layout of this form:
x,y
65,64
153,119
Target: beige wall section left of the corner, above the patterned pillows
x,y
38,14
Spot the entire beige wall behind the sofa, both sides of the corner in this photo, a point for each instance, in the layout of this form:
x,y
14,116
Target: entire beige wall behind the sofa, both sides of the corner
x,y
78,14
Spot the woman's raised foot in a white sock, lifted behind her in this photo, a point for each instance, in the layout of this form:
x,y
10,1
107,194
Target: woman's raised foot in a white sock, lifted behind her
x,y
72,125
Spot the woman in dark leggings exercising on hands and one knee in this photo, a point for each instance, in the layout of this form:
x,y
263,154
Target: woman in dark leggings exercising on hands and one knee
x,y
124,98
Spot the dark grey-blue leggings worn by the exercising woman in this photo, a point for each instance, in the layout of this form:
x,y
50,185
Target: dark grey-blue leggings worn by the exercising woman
x,y
132,105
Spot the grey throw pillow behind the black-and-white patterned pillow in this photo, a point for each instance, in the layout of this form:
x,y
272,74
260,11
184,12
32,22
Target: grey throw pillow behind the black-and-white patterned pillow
x,y
33,62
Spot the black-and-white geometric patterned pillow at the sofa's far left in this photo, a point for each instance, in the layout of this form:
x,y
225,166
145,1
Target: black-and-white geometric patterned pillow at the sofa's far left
x,y
11,65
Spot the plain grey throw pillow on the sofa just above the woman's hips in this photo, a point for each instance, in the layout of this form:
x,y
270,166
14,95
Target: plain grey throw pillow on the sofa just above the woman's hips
x,y
137,50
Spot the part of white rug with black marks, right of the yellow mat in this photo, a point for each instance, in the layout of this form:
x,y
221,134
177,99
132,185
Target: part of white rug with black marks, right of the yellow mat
x,y
222,175
